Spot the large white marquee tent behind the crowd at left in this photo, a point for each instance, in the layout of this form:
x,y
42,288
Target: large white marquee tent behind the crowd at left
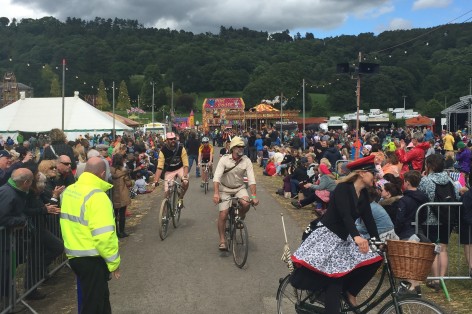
x,y
43,114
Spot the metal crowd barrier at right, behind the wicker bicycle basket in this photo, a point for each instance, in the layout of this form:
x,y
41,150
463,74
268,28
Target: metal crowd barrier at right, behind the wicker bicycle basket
x,y
457,267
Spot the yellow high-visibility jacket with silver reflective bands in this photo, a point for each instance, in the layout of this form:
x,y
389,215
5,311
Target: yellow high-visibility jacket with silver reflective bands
x,y
87,221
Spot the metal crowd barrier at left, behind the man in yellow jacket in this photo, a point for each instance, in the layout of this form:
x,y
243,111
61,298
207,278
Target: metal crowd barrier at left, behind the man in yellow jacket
x,y
29,256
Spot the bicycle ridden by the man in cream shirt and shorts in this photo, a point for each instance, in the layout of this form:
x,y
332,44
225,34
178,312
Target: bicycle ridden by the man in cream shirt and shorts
x,y
236,234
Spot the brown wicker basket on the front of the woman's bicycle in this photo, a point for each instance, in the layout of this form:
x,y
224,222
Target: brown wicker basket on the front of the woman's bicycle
x,y
410,260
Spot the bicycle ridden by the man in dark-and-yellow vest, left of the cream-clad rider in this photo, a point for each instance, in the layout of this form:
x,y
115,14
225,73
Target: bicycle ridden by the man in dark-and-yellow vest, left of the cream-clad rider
x,y
170,209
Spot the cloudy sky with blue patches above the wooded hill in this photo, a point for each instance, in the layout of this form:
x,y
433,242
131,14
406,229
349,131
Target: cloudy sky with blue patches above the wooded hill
x,y
323,18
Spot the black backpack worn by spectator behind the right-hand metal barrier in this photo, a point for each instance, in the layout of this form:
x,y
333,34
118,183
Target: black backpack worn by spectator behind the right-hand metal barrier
x,y
445,193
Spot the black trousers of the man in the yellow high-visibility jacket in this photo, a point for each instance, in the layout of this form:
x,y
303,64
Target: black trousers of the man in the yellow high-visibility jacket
x,y
93,275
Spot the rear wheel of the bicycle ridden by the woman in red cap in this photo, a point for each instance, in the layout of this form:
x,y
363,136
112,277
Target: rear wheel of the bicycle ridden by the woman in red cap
x,y
291,300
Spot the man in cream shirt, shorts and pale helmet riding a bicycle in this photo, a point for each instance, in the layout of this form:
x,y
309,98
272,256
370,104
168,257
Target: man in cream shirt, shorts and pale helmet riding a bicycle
x,y
230,173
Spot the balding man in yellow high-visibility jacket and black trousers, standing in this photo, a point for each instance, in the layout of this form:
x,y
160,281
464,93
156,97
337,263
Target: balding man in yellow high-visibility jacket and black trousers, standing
x,y
90,240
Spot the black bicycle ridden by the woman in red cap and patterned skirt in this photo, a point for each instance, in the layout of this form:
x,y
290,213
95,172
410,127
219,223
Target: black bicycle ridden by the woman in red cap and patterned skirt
x,y
291,300
